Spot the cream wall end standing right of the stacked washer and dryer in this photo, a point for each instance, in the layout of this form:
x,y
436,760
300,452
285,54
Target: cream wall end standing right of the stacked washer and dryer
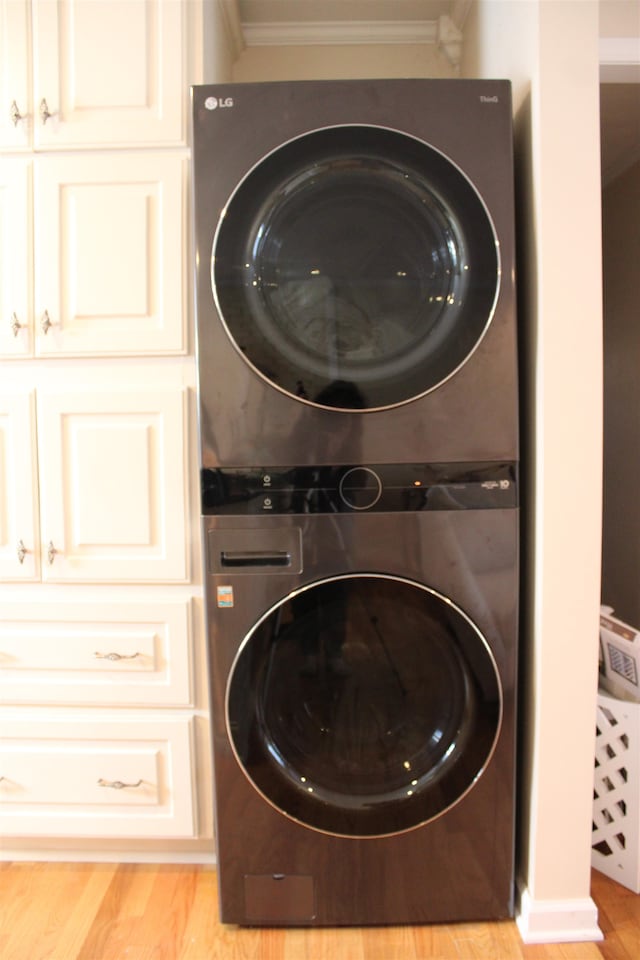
x,y
550,52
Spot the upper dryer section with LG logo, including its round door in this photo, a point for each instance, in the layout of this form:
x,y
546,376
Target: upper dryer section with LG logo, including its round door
x,y
354,250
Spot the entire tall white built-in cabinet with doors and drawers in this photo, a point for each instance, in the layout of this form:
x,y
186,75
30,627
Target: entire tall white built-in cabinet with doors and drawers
x,y
102,697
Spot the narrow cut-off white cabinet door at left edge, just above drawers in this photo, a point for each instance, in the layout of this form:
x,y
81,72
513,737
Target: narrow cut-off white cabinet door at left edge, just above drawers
x,y
19,539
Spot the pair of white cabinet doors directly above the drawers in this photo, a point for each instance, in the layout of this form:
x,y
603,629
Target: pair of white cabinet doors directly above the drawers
x,y
113,505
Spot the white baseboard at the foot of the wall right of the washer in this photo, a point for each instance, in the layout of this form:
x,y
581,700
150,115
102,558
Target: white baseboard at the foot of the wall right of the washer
x,y
557,921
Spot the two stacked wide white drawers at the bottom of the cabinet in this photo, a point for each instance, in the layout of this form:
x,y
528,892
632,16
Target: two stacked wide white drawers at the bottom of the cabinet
x,y
89,772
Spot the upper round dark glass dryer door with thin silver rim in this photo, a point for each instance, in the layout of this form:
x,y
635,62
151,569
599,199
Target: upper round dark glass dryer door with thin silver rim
x,y
355,268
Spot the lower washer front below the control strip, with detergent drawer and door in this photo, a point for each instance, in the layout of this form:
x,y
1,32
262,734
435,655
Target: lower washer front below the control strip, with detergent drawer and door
x,y
459,863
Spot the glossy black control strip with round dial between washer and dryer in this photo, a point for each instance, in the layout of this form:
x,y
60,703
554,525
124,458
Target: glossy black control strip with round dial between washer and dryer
x,y
389,488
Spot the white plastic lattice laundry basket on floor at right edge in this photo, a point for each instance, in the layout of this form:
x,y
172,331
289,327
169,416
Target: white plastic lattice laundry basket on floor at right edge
x,y
616,794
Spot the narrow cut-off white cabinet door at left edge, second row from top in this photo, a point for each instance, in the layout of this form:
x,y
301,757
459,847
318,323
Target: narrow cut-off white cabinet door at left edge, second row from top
x,y
15,258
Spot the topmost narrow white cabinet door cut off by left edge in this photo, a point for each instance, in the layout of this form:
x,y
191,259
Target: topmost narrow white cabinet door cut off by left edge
x,y
15,88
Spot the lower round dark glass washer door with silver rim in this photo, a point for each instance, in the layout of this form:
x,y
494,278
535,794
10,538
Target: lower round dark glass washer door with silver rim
x,y
364,705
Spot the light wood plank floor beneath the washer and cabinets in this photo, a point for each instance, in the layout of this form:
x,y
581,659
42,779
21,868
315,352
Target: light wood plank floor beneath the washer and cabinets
x,y
135,912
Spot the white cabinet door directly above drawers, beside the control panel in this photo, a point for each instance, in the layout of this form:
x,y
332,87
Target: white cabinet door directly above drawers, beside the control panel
x,y
113,495
